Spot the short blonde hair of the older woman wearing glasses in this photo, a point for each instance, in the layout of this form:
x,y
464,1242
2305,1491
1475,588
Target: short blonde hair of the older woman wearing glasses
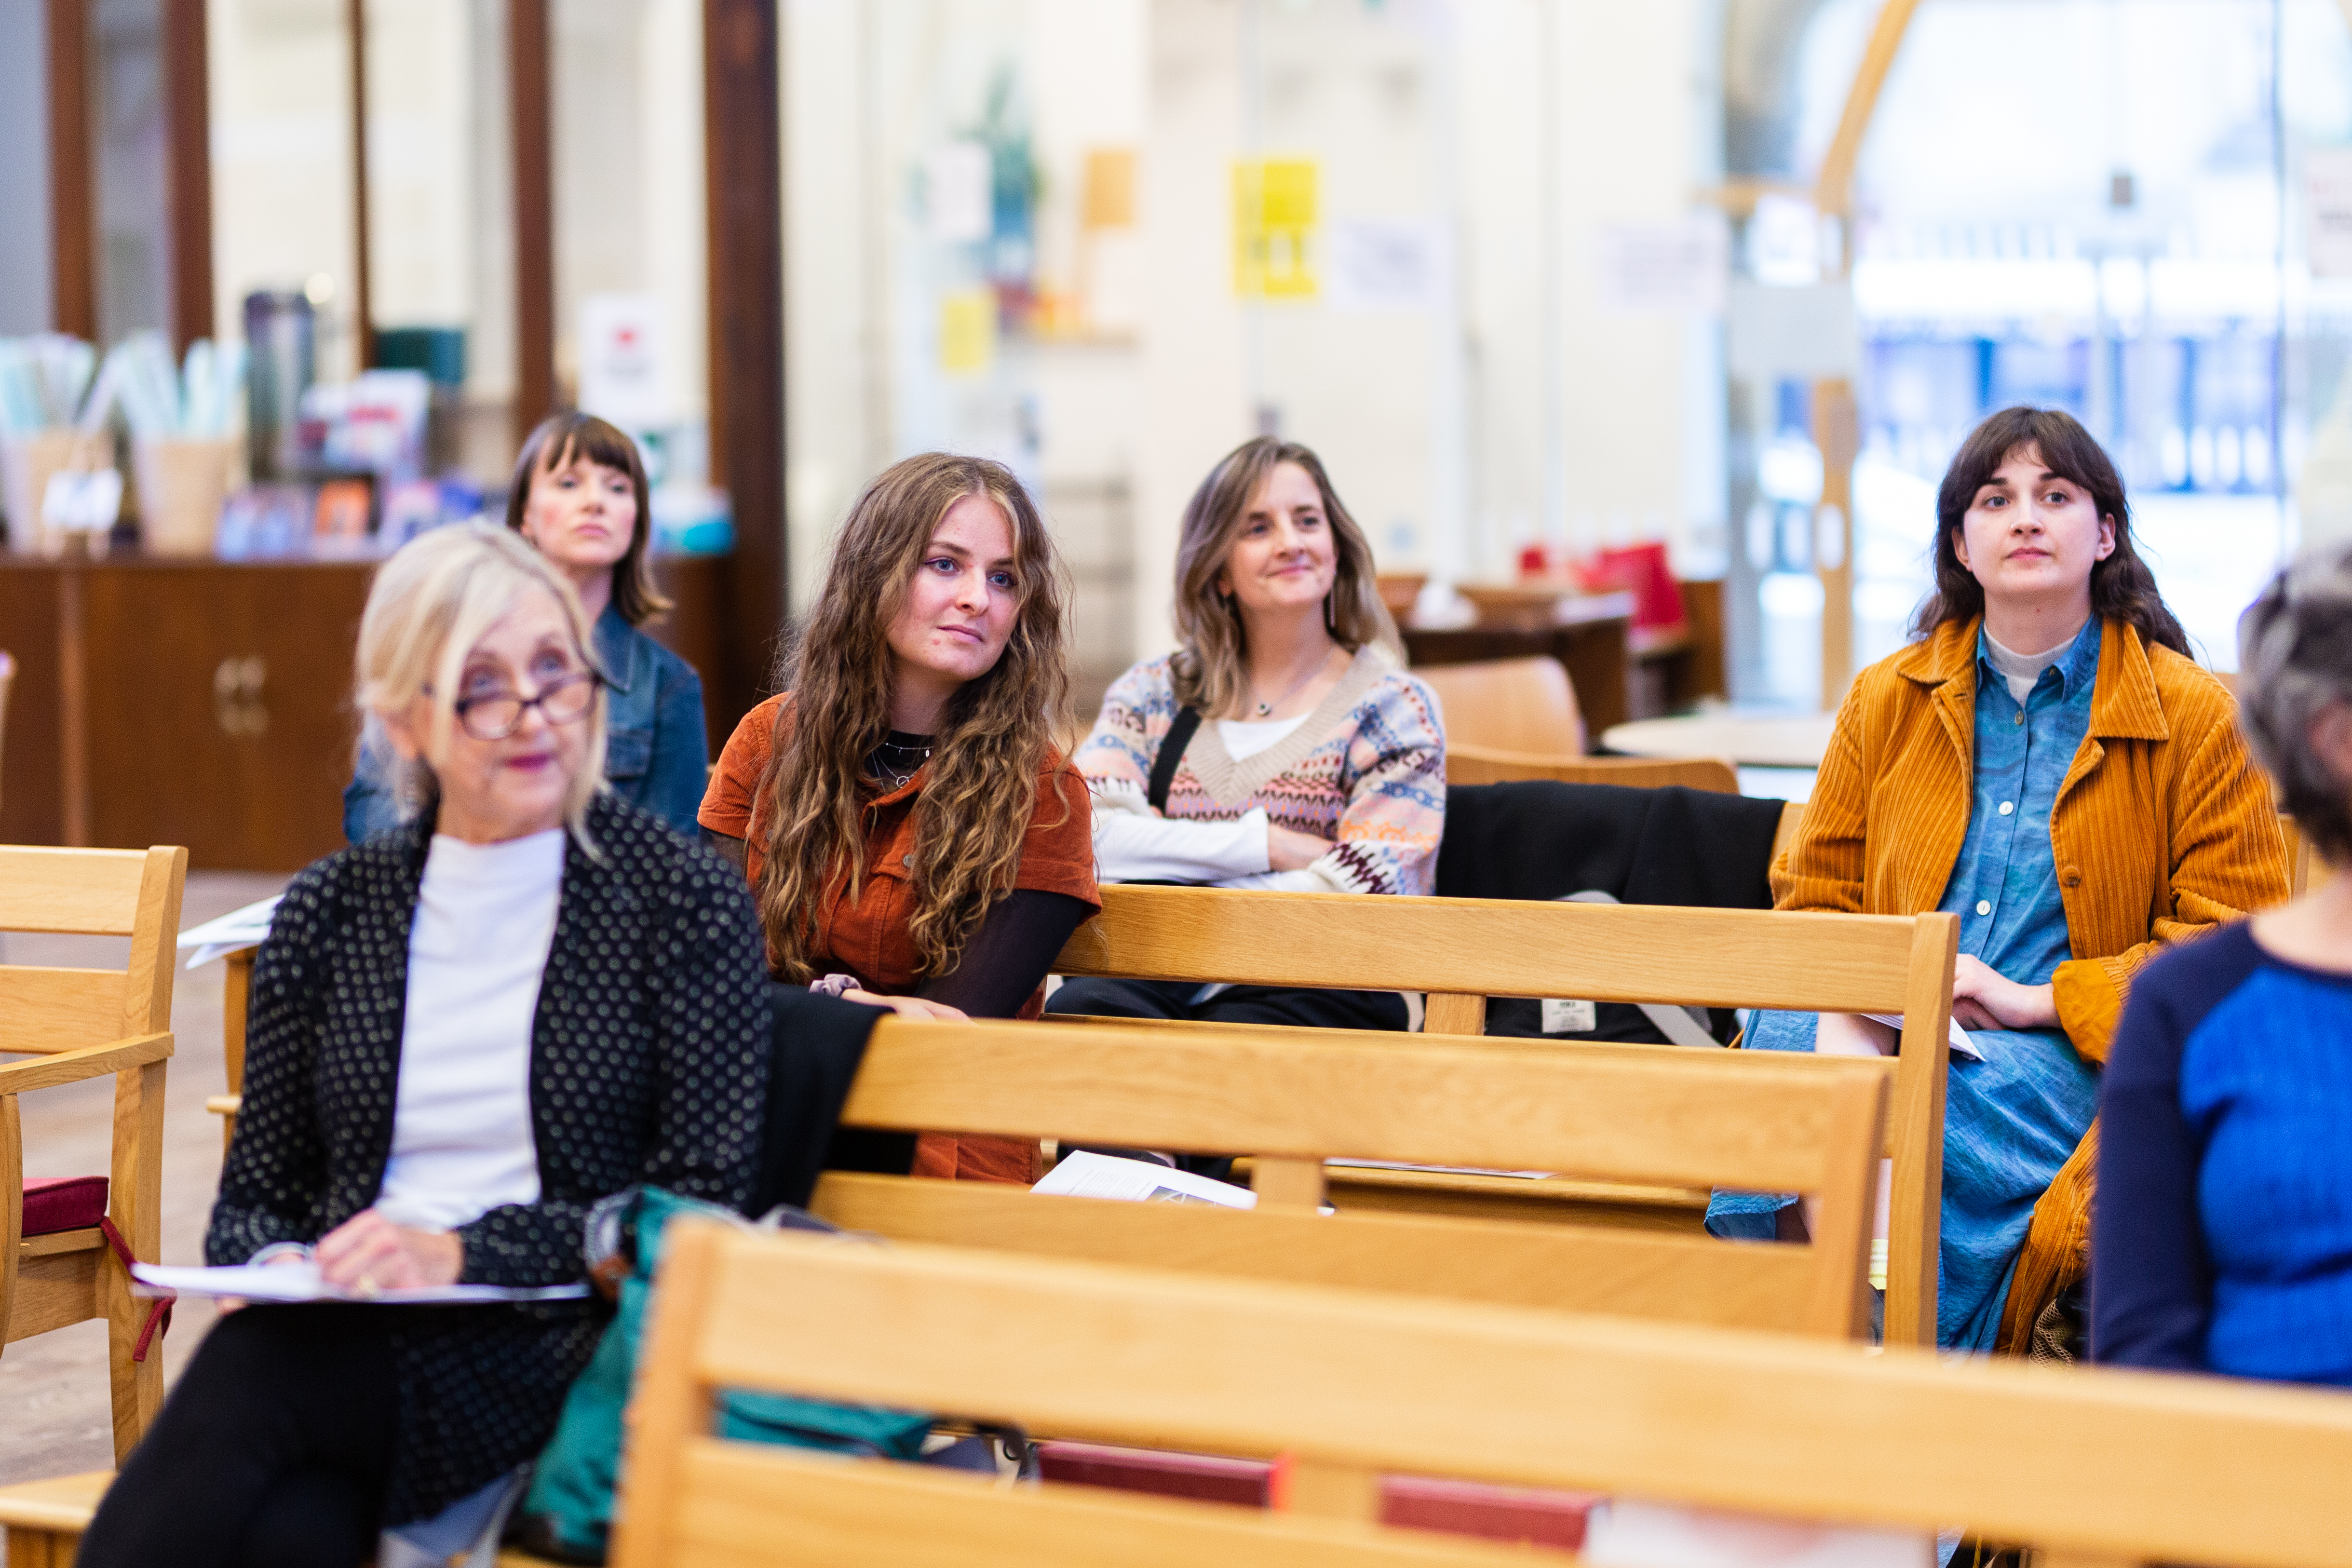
x,y
432,603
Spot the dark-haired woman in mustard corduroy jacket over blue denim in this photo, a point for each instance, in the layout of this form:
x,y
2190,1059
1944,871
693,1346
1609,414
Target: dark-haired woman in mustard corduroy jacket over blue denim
x,y
2050,765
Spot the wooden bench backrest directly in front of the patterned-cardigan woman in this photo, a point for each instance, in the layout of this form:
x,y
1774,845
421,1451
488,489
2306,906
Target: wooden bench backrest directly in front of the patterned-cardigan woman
x,y
1464,951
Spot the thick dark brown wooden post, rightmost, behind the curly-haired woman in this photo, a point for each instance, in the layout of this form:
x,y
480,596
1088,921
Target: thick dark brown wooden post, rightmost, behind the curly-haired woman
x,y
744,170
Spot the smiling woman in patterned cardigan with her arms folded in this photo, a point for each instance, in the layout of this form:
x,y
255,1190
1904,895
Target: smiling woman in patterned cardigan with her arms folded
x,y
1281,746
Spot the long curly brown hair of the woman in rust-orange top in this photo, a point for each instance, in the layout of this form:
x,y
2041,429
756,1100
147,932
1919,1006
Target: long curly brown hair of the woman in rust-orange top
x,y
996,735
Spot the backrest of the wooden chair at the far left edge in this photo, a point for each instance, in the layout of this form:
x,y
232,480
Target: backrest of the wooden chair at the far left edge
x,y
91,892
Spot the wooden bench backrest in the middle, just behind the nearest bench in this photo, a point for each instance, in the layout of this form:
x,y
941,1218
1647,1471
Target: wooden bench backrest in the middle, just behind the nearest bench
x,y
1295,1101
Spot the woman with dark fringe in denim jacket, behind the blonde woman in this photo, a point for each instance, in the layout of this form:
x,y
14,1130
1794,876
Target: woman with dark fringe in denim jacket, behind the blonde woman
x,y
582,500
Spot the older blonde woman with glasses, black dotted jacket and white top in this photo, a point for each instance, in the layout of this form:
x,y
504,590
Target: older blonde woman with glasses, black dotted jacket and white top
x,y
465,1033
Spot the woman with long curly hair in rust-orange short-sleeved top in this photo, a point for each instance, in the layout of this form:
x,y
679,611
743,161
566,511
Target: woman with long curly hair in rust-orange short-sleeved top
x,y
914,836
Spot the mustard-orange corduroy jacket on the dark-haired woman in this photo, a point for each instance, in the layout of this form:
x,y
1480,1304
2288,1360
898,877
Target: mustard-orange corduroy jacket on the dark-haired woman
x,y
2163,831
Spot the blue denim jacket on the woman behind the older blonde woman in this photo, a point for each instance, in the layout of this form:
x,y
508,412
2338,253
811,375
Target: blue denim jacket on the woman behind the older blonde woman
x,y
657,753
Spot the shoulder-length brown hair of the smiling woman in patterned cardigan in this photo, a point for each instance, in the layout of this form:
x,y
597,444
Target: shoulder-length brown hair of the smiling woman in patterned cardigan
x,y
1208,669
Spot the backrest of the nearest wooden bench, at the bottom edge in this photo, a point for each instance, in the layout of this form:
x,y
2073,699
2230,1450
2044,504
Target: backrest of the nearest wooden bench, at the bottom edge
x,y
2080,1463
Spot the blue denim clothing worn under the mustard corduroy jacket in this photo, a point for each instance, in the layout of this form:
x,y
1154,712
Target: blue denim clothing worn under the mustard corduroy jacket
x,y
2014,1118
